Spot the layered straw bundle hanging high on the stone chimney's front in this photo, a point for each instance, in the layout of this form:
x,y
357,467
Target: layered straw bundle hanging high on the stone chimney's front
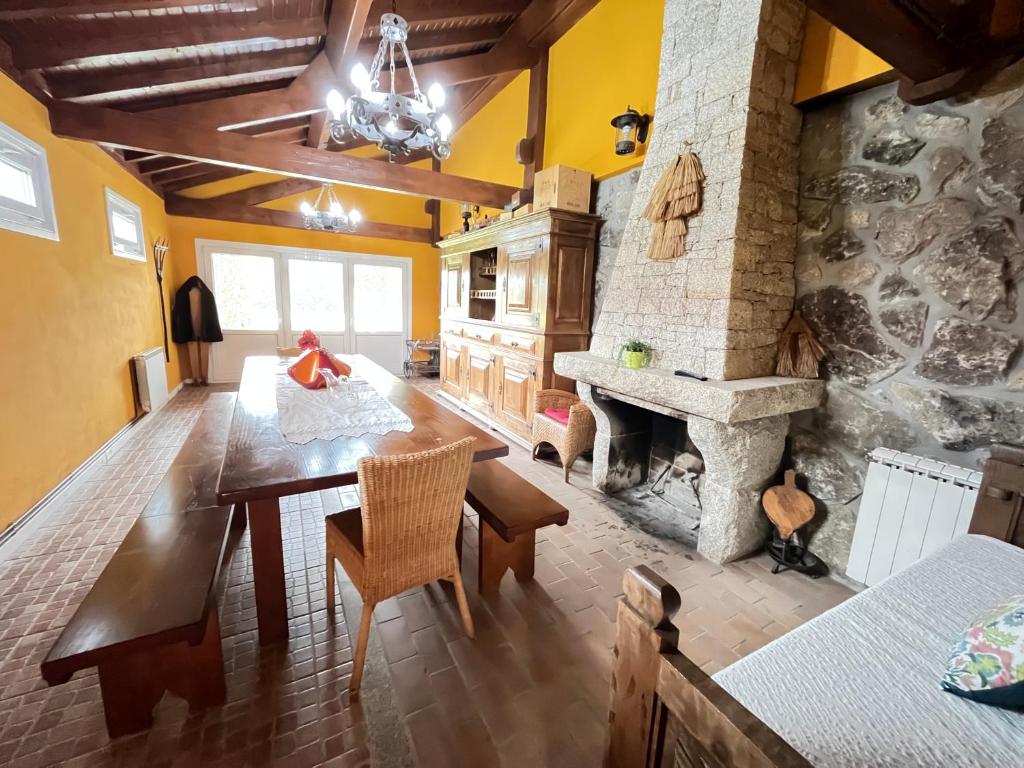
x,y
677,196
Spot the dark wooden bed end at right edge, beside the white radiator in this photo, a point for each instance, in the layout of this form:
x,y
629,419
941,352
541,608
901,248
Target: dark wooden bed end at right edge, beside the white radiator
x,y
1000,510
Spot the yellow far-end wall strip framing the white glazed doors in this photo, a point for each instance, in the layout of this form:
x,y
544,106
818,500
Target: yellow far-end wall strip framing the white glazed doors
x,y
426,266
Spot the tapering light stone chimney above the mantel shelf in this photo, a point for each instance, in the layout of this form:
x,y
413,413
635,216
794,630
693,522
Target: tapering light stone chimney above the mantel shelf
x,y
728,71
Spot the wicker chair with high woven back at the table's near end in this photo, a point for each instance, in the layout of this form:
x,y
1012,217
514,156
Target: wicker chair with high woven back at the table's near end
x,y
405,534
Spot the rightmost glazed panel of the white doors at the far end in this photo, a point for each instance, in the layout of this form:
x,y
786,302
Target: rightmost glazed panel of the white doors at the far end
x,y
380,305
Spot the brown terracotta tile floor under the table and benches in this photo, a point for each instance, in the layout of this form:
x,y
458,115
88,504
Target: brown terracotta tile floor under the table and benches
x,y
531,691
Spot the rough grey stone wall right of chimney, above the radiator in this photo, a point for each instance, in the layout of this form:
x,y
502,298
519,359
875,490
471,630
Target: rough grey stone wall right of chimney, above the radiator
x,y
909,268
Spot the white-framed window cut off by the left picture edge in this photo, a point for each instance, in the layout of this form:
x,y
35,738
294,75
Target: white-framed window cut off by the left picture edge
x,y
26,196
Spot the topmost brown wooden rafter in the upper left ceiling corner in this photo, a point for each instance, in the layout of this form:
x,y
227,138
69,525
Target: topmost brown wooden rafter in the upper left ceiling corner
x,y
164,32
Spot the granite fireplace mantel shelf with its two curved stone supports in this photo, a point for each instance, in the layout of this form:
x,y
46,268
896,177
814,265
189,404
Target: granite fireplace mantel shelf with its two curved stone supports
x,y
739,426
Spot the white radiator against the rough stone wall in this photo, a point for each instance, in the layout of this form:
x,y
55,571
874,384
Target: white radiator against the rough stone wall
x,y
912,506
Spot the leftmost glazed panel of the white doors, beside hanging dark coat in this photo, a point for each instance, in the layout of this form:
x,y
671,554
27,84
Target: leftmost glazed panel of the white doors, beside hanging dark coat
x,y
246,288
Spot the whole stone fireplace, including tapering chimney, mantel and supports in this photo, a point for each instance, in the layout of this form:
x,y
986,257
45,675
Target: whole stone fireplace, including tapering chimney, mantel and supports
x,y
726,84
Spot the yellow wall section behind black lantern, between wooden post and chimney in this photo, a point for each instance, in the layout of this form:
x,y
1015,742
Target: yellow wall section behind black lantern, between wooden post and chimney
x,y
607,62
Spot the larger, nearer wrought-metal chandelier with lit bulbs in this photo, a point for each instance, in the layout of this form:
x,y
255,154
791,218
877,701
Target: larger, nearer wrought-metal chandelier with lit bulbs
x,y
397,123
